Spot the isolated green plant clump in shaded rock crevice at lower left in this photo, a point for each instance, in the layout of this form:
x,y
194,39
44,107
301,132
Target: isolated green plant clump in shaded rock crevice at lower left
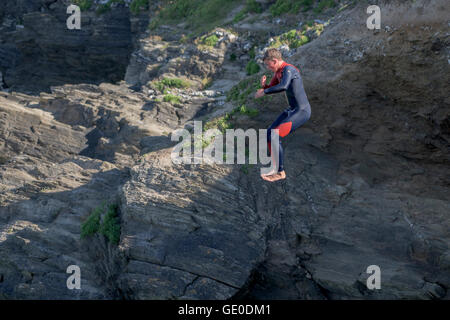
x,y
109,226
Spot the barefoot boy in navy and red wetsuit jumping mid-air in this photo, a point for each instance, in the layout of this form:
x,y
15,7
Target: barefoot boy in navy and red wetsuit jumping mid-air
x,y
286,78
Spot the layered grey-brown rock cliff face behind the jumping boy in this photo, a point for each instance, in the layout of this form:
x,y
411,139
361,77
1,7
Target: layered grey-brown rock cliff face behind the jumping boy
x,y
367,176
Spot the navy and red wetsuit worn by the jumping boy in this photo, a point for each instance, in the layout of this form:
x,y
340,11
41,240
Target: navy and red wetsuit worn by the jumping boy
x,y
288,79
